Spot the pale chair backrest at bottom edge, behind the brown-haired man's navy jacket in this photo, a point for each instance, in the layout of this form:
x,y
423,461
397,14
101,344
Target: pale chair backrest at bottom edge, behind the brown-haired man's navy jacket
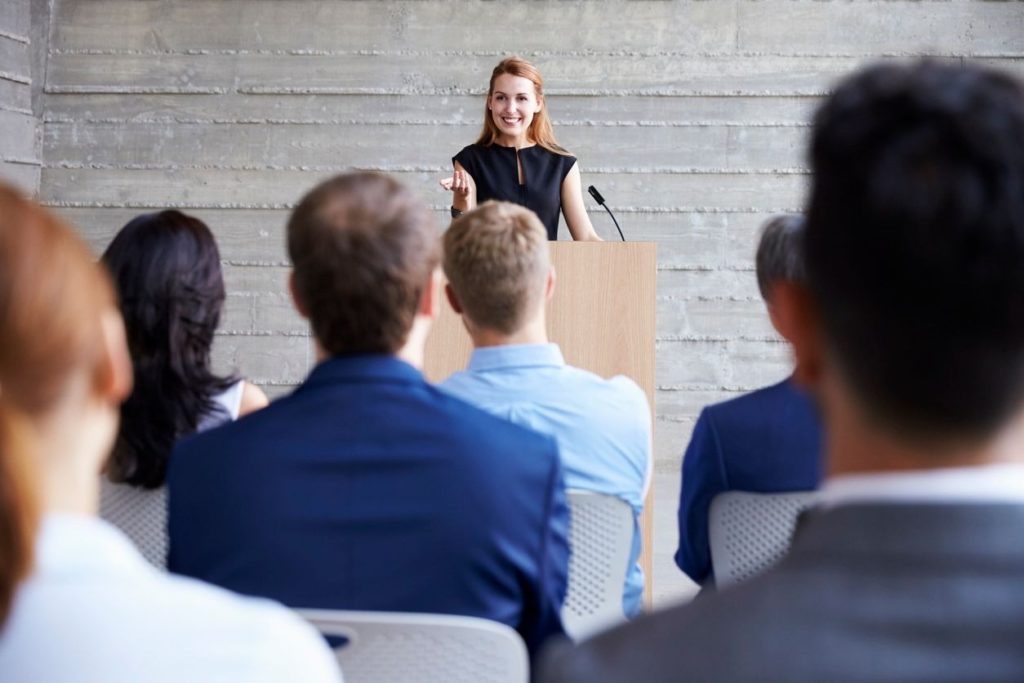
x,y
393,648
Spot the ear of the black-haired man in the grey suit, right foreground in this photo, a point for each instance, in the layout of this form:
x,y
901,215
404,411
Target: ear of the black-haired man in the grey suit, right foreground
x,y
795,316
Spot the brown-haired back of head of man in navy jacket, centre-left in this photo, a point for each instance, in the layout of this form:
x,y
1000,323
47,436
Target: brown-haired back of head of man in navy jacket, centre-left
x,y
363,248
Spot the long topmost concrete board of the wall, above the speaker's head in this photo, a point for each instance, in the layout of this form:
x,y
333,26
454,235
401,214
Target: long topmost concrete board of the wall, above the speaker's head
x,y
452,26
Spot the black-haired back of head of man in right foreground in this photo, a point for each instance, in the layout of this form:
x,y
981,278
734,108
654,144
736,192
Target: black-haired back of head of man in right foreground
x,y
916,245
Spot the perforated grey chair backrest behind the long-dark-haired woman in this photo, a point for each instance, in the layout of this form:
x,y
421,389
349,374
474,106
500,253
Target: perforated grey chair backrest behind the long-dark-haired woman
x,y
141,514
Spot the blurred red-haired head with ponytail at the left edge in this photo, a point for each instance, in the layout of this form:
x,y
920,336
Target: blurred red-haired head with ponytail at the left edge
x,y
53,297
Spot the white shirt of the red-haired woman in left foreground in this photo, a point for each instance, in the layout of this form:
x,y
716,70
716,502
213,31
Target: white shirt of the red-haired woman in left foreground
x,y
96,612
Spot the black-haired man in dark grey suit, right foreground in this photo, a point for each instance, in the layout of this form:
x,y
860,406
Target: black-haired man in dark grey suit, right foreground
x,y
912,332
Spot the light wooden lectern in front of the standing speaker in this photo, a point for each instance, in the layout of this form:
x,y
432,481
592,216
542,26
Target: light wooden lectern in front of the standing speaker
x,y
602,316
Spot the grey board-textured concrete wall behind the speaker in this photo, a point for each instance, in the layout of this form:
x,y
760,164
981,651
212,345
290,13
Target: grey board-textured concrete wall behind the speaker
x,y
691,117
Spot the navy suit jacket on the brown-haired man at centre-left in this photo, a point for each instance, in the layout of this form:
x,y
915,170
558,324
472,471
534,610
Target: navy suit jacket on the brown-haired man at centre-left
x,y
368,489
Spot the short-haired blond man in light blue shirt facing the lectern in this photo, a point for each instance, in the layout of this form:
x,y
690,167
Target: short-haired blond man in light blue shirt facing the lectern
x,y
497,263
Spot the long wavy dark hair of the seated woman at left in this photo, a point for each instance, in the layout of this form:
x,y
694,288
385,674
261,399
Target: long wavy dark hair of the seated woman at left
x,y
166,268
